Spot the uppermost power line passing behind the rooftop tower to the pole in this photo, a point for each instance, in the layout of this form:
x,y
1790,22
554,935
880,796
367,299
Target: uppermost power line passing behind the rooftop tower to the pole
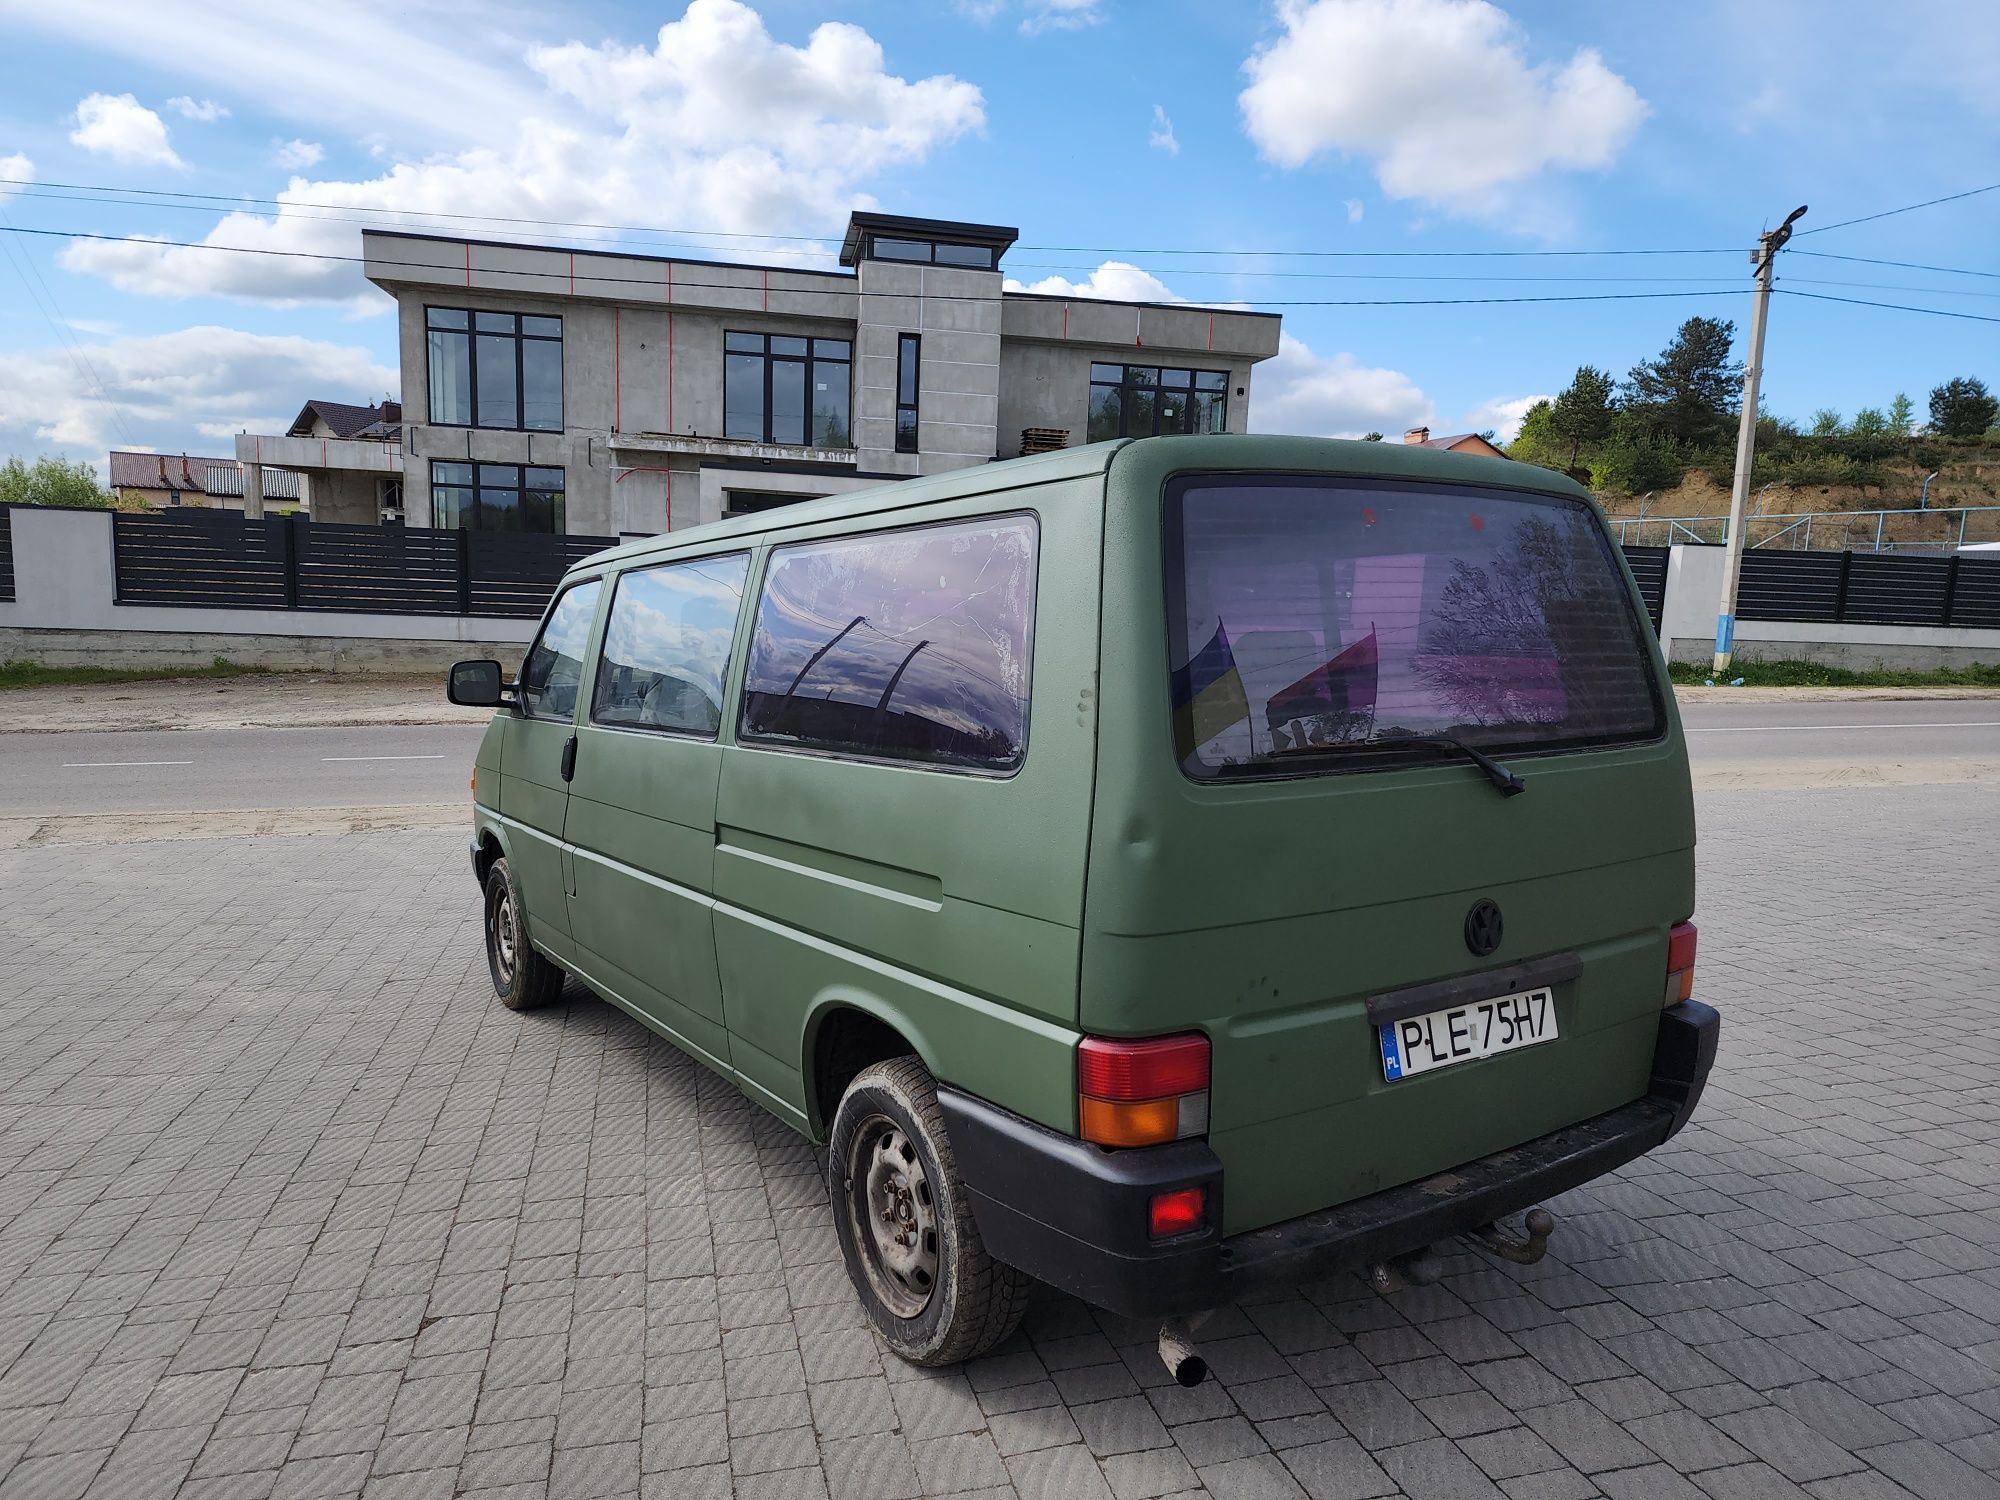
x,y
177,199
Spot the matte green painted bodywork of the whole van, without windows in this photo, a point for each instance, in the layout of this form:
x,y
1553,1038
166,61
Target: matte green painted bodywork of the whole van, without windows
x,y
735,897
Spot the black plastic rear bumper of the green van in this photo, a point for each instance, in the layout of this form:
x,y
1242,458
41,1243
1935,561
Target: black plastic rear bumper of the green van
x,y
1075,1215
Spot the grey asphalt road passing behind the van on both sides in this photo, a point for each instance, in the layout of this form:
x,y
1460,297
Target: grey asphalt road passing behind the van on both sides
x,y
199,771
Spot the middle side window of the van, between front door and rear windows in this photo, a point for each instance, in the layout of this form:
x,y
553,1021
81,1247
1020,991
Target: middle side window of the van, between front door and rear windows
x,y
667,647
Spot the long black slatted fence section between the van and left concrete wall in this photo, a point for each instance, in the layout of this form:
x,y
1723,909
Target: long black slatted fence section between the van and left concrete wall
x,y
217,559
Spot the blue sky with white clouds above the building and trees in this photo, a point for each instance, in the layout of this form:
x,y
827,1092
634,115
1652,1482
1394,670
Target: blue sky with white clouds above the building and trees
x,y
1455,163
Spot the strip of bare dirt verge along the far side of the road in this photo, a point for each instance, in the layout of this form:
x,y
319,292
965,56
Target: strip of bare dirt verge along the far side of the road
x,y
287,701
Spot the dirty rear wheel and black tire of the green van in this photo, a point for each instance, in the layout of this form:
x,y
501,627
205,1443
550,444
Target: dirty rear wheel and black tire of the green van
x,y
937,1299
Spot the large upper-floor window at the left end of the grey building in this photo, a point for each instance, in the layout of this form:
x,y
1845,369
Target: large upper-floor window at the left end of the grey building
x,y
495,369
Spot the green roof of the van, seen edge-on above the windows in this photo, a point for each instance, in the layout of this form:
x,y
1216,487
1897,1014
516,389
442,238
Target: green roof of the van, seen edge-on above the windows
x,y
1219,451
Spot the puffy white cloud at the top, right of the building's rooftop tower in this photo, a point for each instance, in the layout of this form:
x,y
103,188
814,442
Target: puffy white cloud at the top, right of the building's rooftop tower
x,y
1437,95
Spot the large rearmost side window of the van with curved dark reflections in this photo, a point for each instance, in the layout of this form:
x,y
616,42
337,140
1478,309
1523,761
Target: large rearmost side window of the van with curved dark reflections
x,y
899,647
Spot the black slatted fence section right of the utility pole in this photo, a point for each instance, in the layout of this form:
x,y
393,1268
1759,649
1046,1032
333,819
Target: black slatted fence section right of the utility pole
x,y
1871,589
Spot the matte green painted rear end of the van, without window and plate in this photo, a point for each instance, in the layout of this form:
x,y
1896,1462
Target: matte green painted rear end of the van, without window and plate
x,y
1267,913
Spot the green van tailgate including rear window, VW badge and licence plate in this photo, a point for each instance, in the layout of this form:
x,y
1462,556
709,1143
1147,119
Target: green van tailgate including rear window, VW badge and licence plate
x,y
1287,831
